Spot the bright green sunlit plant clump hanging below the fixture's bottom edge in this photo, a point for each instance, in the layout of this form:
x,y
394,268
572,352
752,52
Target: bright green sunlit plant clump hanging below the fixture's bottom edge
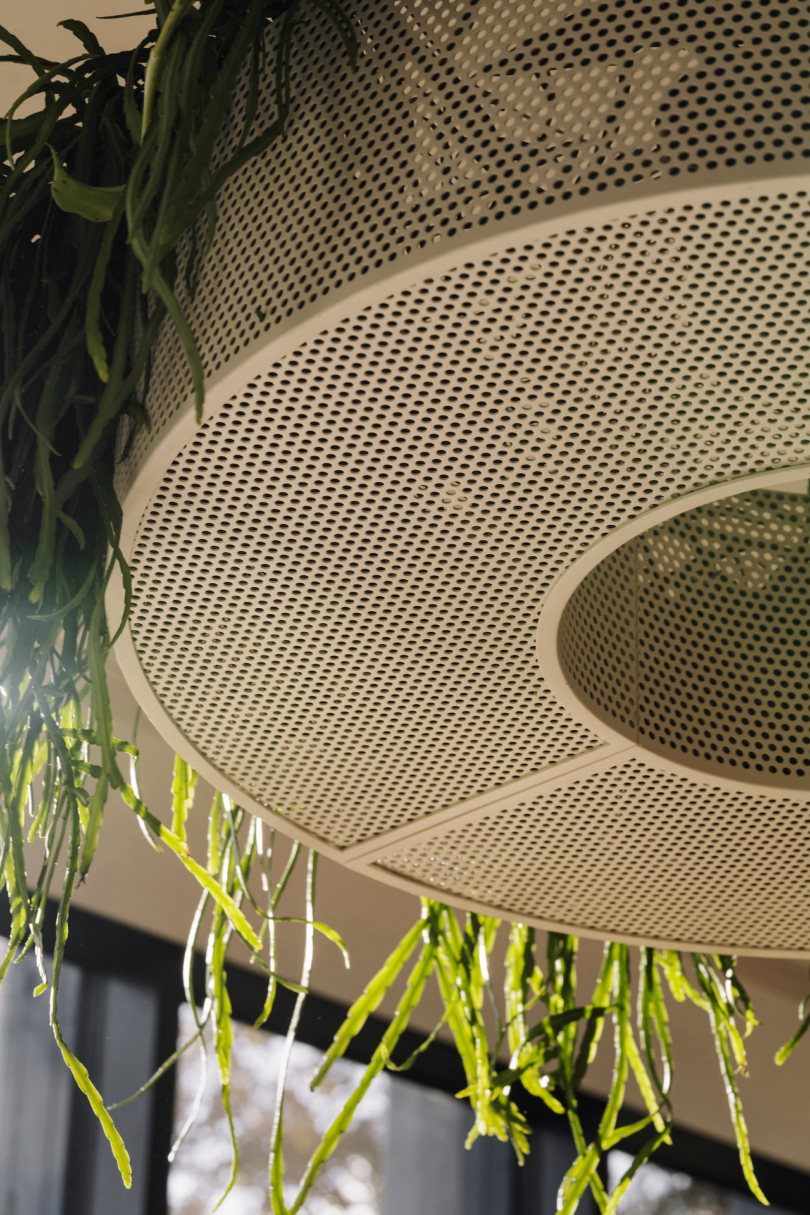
x,y
546,1038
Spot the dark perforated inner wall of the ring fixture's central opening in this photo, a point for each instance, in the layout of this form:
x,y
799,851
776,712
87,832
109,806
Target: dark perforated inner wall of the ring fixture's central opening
x,y
693,640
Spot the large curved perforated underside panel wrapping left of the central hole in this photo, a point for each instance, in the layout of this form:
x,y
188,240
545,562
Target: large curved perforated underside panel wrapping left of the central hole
x,y
338,583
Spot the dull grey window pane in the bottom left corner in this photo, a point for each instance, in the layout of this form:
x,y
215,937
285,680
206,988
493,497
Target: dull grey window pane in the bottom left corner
x,y
54,1156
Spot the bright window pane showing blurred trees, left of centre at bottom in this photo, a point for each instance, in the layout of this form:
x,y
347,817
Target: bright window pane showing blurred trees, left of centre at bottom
x,y
403,1155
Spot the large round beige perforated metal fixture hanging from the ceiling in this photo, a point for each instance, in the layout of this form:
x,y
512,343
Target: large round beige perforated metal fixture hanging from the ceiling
x,y
507,355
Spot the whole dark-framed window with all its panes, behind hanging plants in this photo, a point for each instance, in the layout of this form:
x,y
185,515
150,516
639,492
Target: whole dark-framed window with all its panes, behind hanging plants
x,y
122,1009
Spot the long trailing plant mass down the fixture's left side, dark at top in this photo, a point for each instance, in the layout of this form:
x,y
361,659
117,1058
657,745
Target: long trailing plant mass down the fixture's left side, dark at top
x,y
99,188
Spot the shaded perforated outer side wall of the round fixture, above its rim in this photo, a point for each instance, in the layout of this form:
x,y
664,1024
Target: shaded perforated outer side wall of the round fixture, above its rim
x,y
466,116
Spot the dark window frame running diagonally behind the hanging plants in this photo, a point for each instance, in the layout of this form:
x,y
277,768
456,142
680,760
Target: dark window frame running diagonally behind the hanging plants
x,y
104,946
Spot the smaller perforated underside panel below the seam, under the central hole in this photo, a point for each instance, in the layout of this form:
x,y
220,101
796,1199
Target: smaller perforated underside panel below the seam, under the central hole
x,y
639,854
